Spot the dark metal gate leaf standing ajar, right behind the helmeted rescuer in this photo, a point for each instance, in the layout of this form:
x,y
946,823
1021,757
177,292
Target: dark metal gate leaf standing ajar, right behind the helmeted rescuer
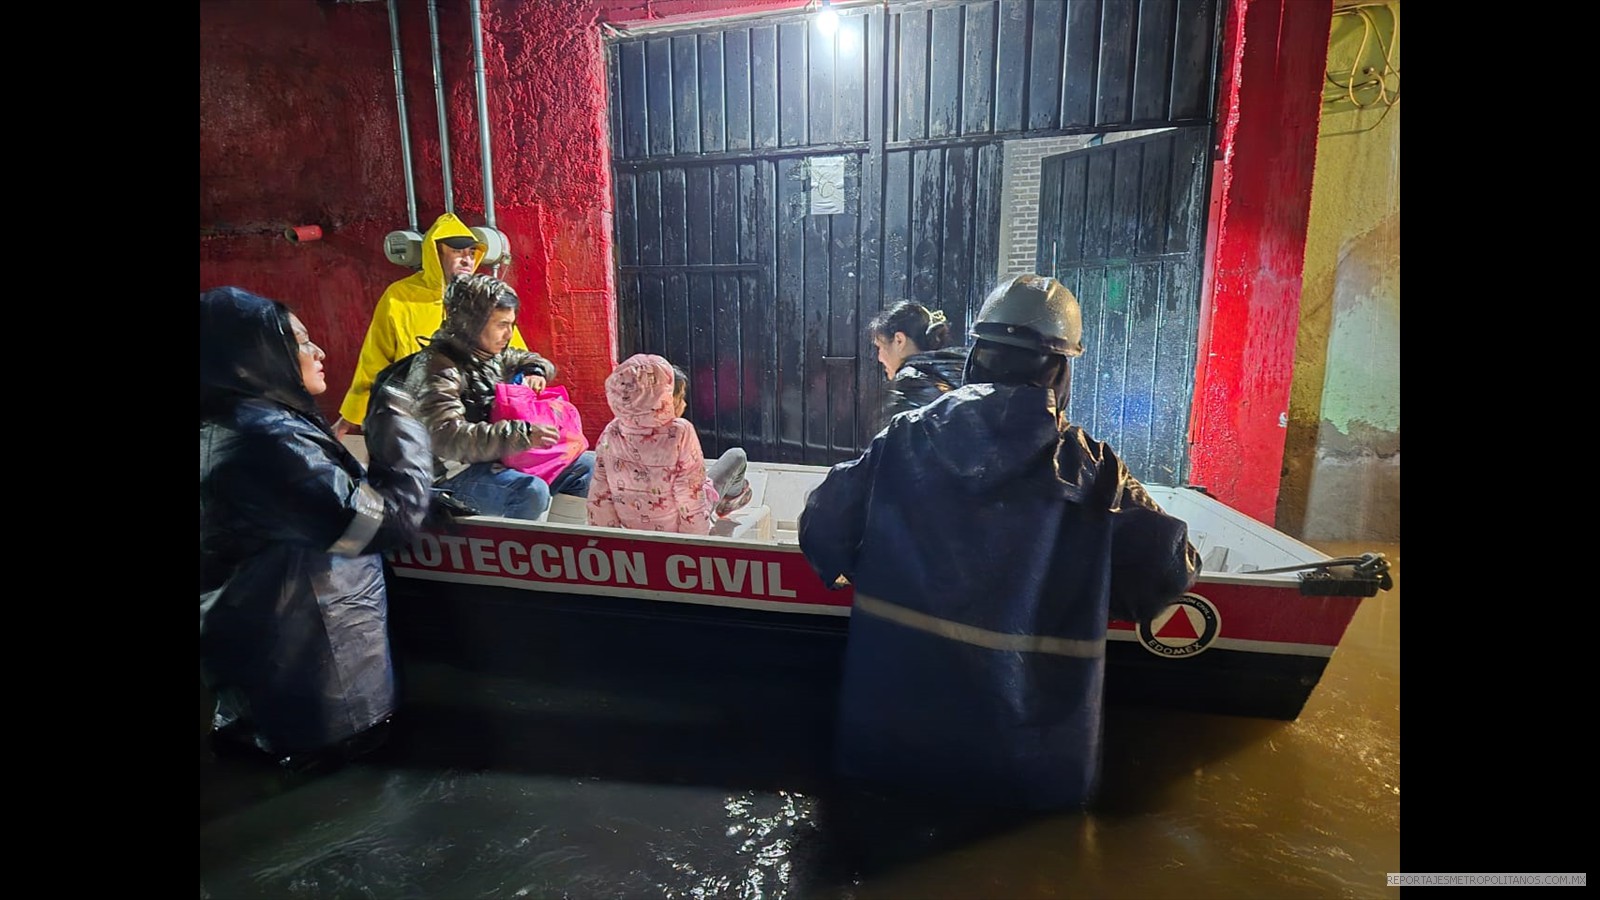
x,y
1124,227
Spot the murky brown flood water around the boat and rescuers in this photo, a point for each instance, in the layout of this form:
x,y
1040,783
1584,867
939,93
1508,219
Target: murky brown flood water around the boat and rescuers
x,y
657,792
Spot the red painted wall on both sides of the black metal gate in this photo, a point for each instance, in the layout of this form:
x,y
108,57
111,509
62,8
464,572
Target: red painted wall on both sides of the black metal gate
x,y
298,126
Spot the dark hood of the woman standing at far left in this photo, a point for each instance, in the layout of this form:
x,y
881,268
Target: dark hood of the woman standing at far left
x,y
249,352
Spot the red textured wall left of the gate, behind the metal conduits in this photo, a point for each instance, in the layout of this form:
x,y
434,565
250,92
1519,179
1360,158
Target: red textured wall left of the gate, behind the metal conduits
x,y
300,126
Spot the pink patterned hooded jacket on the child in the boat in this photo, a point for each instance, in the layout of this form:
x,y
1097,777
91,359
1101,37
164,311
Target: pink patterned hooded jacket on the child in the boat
x,y
650,473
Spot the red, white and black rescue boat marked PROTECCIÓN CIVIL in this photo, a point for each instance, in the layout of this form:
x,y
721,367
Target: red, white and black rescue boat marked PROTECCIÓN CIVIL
x,y
498,595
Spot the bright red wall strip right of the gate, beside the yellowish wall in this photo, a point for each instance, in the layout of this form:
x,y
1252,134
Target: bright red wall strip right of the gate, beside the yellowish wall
x,y
1270,108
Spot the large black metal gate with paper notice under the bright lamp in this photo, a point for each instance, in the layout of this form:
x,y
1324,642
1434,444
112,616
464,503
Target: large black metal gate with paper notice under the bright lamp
x,y
777,187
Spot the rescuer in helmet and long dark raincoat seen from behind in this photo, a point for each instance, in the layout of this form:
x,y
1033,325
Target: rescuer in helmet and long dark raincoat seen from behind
x,y
990,542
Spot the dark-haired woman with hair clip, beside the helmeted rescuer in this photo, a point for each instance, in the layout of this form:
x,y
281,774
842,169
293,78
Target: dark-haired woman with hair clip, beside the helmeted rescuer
x,y
913,352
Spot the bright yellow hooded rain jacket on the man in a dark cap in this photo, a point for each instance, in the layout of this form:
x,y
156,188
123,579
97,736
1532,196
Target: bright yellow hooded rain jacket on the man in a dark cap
x,y
410,308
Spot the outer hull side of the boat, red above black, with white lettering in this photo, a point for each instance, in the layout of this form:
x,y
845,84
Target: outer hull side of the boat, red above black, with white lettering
x,y
558,606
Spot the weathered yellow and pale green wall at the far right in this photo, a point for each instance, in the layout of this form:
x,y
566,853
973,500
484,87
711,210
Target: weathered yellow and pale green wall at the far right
x,y
1342,475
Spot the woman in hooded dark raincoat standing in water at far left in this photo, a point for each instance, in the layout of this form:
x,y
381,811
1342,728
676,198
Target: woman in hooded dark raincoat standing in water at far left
x,y
294,609
